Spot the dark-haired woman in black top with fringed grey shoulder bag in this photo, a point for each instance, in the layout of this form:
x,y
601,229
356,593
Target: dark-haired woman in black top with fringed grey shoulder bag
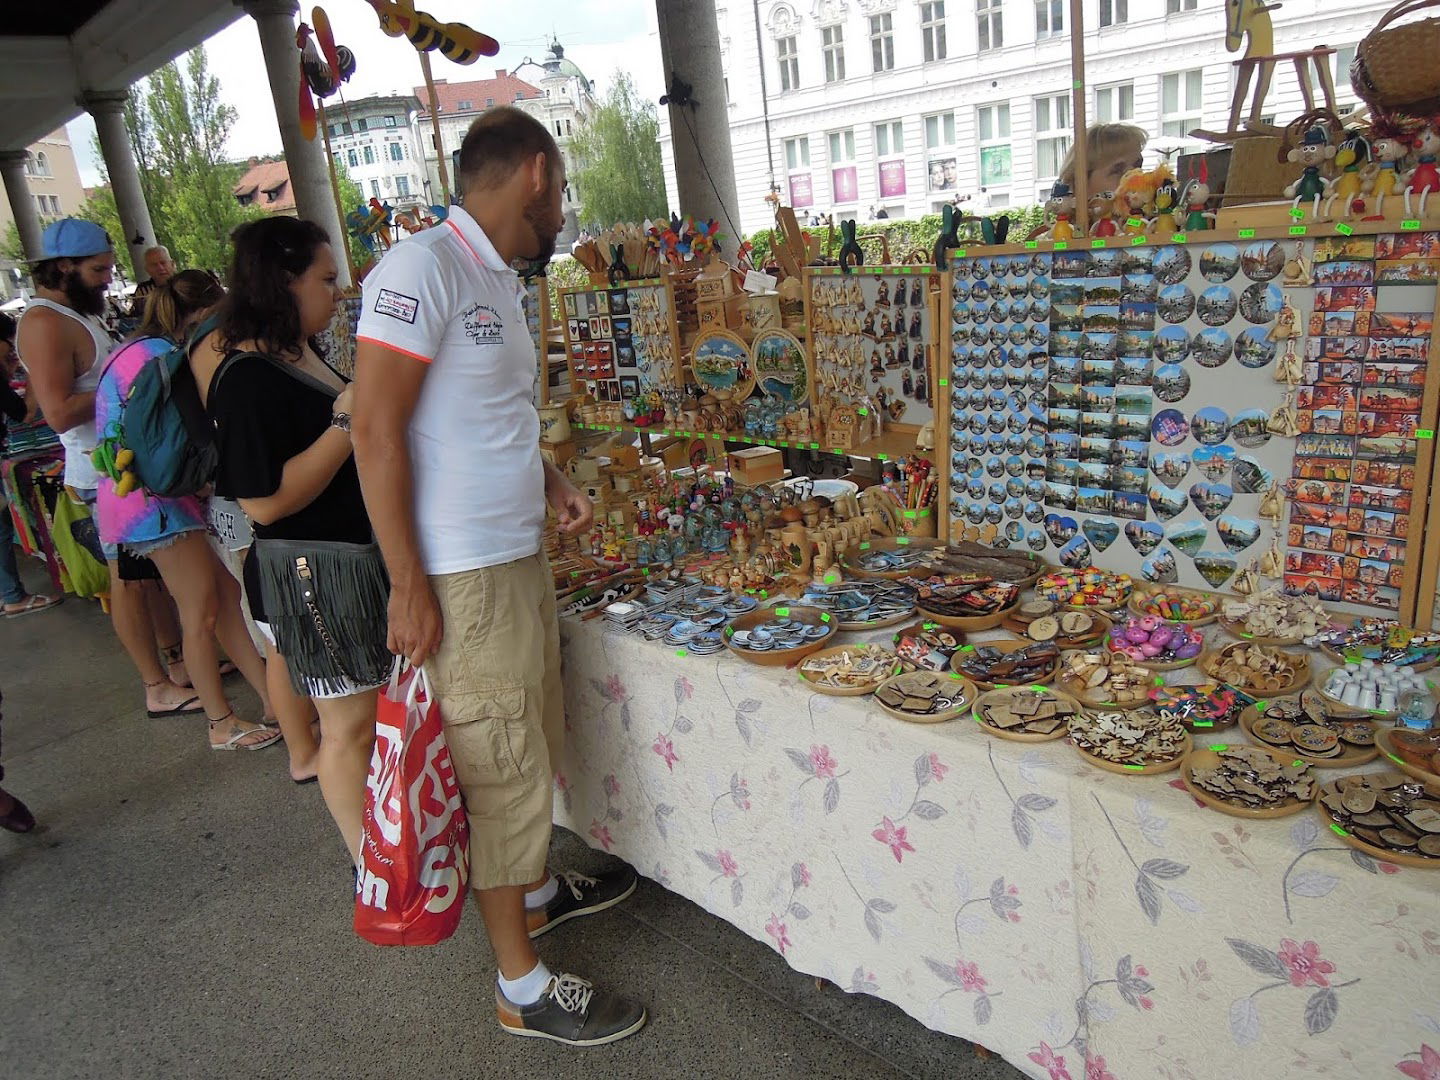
x,y
315,578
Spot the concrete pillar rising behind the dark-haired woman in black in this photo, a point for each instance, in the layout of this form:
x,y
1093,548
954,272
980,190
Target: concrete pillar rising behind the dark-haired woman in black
x,y
306,159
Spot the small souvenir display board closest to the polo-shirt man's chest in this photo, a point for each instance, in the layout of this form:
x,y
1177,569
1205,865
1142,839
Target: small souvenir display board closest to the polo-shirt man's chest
x,y
620,342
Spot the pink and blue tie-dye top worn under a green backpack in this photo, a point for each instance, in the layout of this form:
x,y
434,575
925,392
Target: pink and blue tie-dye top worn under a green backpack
x,y
139,518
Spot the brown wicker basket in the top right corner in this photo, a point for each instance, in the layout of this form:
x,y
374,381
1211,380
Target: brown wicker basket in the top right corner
x,y
1395,67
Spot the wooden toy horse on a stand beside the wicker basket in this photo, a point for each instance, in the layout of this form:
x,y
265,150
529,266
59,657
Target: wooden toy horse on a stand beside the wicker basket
x,y
1248,24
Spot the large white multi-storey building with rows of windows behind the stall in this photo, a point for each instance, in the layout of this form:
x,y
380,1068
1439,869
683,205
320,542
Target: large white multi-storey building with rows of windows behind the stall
x,y
905,104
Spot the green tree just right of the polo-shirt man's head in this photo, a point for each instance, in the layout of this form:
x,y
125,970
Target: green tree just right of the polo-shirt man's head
x,y
618,171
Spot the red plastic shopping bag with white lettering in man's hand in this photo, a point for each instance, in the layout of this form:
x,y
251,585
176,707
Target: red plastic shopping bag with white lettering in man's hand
x,y
415,852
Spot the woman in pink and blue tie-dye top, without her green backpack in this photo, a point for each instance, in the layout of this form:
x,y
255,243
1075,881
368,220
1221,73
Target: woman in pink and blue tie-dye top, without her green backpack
x,y
172,532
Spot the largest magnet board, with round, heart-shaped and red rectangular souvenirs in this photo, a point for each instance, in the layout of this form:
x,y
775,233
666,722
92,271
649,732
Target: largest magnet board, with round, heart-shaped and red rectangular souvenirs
x,y
1122,408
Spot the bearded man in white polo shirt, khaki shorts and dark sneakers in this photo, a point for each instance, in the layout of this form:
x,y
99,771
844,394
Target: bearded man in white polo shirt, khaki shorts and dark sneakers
x,y
447,443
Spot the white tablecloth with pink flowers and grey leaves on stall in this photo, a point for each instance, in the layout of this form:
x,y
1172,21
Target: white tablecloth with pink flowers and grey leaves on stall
x,y
1081,924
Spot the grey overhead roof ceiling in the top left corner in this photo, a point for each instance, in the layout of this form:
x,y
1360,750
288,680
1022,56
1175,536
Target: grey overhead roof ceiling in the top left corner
x,y
51,54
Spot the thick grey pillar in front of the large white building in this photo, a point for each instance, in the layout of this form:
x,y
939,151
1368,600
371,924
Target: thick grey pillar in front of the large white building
x,y
690,47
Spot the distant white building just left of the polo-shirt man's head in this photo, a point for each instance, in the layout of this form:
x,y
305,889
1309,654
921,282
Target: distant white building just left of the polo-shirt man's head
x,y
377,142
